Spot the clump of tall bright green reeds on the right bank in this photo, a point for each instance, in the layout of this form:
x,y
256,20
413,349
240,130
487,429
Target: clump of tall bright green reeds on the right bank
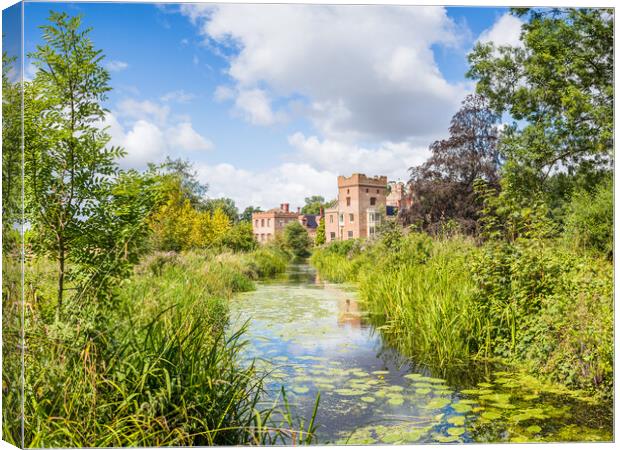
x,y
427,308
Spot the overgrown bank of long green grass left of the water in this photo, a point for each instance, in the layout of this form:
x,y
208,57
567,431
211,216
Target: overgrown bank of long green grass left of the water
x,y
151,366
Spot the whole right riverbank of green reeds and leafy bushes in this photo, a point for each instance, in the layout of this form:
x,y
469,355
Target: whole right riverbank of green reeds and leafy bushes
x,y
531,304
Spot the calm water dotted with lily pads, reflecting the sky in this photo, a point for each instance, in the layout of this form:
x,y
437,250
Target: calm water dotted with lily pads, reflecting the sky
x,y
311,337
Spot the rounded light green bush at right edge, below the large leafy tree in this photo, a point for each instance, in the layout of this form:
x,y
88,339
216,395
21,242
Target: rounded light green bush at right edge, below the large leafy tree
x,y
590,221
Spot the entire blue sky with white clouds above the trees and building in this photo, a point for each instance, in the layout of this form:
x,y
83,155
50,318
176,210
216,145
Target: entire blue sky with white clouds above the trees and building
x,y
272,102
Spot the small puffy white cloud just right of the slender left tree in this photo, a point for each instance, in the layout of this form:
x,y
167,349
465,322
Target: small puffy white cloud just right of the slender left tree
x,y
144,130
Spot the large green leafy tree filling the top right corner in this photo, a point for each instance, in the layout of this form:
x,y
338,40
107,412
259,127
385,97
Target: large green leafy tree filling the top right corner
x,y
558,90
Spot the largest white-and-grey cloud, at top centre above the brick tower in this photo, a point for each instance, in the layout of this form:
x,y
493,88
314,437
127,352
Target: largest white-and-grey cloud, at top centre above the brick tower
x,y
366,71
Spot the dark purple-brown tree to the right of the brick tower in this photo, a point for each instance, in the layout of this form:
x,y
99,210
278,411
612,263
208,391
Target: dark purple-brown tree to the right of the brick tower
x,y
443,187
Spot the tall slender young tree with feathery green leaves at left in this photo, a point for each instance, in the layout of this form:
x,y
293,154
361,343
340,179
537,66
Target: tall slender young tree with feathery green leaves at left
x,y
68,168
